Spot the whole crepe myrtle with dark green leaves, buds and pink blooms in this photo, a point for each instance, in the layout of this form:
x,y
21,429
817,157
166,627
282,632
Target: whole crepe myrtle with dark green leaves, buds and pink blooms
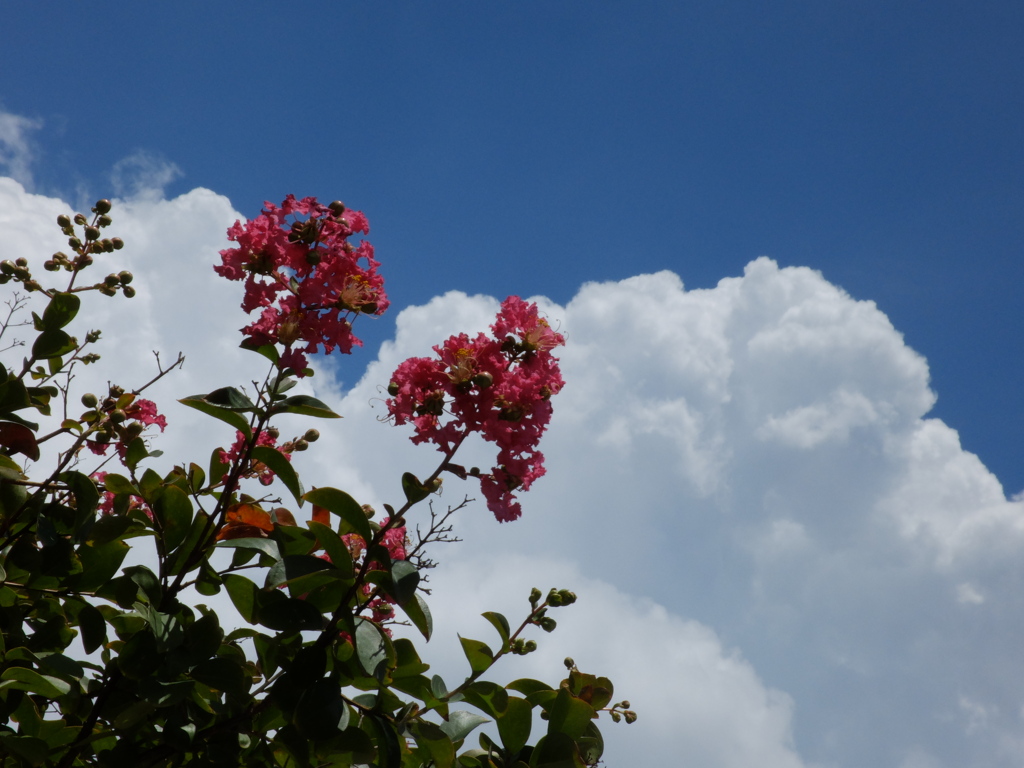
x,y
104,664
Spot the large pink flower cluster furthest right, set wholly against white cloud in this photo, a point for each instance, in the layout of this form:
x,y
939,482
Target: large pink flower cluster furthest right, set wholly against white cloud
x,y
498,387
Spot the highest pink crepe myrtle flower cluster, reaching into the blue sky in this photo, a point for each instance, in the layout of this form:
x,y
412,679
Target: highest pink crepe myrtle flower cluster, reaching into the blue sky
x,y
306,278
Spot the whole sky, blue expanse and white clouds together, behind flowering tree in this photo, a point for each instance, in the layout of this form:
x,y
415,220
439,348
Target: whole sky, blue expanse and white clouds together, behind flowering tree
x,y
820,544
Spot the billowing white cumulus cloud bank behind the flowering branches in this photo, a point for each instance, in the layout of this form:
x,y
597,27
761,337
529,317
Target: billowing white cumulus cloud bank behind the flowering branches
x,y
781,560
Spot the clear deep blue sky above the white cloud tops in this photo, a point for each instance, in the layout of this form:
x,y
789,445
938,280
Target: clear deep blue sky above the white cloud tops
x,y
527,148
